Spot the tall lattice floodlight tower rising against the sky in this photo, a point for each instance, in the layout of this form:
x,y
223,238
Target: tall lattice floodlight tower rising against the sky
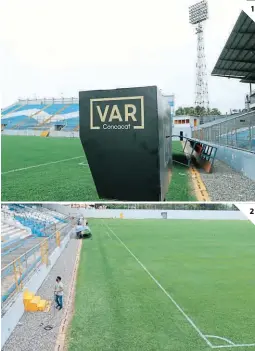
x,y
198,14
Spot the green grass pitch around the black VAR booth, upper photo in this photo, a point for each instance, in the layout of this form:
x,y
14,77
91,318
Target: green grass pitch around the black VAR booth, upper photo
x,y
52,169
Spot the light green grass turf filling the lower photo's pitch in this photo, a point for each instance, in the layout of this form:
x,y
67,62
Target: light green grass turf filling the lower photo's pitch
x,y
206,266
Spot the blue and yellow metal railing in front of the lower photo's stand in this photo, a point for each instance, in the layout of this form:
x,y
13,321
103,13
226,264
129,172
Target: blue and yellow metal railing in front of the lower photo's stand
x,y
15,274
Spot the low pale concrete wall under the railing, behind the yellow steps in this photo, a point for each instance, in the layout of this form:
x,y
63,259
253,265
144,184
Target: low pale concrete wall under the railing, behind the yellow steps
x,y
12,316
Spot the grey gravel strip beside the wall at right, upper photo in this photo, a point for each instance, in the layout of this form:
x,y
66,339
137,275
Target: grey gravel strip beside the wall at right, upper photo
x,y
225,184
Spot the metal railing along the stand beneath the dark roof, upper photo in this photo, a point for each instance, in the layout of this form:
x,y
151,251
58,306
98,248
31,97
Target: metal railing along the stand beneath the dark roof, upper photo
x,y
237,132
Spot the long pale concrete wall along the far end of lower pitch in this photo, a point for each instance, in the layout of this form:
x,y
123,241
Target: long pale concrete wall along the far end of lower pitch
x,y
147,214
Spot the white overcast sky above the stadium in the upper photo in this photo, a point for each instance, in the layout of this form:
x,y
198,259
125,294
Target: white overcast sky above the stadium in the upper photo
x,y
51,47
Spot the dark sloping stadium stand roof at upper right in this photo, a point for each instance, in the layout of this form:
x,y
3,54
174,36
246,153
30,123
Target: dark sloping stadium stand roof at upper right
x,y
237,59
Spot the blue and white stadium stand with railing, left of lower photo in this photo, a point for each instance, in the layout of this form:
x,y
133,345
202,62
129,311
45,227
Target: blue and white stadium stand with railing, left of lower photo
x,y
24,229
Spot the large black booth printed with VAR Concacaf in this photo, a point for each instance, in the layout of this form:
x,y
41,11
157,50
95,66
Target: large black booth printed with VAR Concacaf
x,y
125,136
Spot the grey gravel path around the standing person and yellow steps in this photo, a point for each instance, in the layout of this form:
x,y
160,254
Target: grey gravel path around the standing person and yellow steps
x,y
30,334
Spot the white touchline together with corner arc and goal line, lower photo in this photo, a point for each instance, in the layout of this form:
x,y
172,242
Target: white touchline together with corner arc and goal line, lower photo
x,y
204,337
